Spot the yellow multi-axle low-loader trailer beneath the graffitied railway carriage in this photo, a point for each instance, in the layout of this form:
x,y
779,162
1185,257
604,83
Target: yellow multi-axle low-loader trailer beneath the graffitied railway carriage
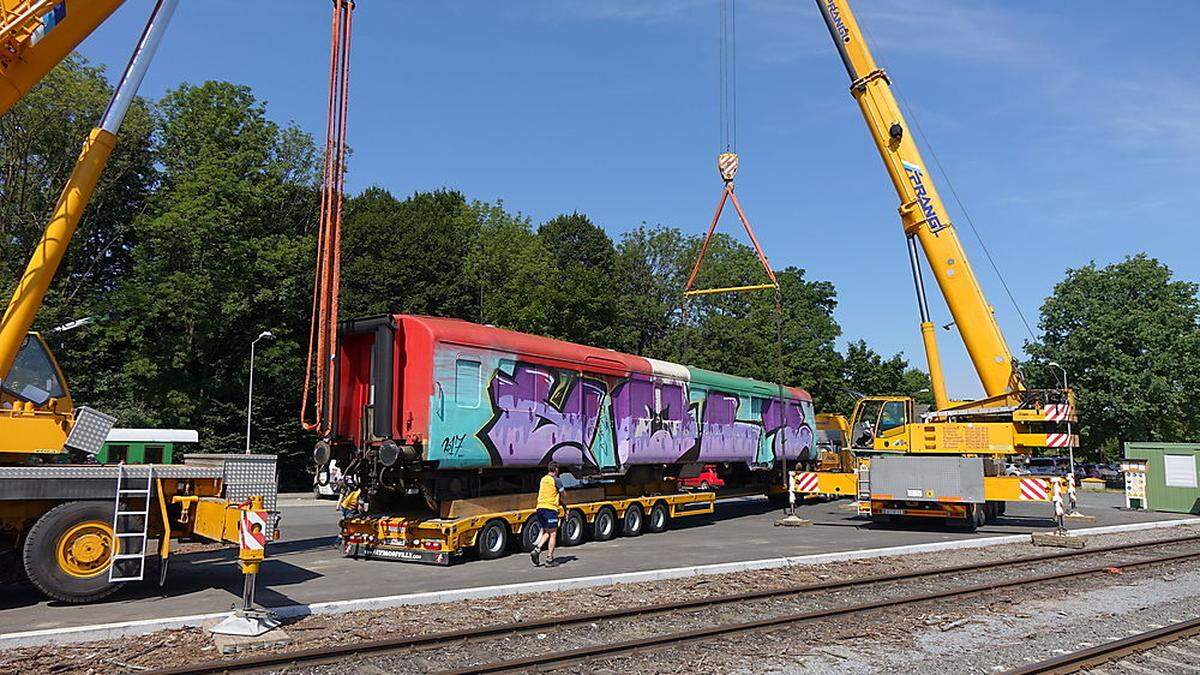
x,y
491,527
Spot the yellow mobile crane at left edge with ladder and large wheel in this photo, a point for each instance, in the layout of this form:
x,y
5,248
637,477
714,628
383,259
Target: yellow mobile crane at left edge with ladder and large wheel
x,y
79,531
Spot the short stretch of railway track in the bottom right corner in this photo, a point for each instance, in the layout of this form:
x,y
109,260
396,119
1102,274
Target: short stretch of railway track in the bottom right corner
x,y
1125,650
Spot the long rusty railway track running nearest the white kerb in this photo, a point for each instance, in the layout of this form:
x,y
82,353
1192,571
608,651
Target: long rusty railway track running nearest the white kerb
x,y
319,658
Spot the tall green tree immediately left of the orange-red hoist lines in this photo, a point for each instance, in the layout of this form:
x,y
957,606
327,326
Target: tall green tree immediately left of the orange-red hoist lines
x,y
225,253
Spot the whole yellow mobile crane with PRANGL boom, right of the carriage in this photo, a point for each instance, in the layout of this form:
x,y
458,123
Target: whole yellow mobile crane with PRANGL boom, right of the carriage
x,y
947,463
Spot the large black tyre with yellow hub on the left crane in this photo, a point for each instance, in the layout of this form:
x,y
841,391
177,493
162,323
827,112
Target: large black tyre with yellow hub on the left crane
x,y
69,552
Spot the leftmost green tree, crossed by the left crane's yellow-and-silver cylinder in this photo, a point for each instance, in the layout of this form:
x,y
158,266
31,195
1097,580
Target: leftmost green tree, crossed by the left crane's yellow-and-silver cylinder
x,y
40,140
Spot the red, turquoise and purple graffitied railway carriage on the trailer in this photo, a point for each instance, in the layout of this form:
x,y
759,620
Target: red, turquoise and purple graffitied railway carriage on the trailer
x,y
459,410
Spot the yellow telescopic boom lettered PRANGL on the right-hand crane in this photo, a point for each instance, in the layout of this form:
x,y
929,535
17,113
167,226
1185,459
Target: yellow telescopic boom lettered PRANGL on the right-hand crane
x,y
925,218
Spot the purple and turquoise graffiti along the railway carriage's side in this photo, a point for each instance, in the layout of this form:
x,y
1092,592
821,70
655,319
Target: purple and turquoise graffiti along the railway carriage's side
x,y
537,414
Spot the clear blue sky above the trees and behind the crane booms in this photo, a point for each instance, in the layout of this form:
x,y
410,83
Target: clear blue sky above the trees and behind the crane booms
x,y
1071,130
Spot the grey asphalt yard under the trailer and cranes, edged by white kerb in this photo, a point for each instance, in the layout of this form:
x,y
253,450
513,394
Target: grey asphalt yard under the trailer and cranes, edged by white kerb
x,y
308,568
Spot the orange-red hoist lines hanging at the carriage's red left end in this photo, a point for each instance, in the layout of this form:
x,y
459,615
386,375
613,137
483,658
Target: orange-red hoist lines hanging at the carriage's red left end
x,y
327,276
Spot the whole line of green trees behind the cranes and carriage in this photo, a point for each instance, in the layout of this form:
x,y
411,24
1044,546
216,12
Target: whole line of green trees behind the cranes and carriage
x,y
201,236
